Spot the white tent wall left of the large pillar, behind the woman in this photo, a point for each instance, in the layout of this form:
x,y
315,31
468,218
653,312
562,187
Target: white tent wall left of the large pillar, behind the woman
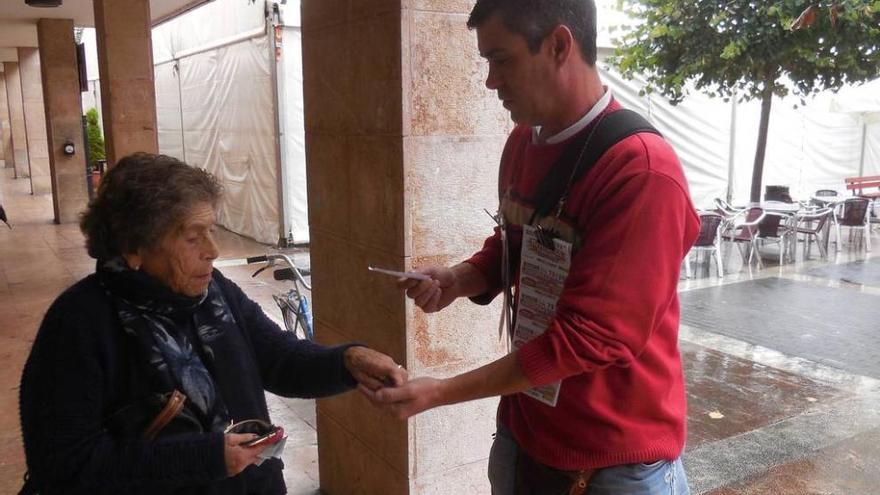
x,y
229,100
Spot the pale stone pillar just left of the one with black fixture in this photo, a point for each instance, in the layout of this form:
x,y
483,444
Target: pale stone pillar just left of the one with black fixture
x,y
35,120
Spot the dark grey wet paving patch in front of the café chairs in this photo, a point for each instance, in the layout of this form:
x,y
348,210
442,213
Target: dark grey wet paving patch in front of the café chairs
x,y
807,319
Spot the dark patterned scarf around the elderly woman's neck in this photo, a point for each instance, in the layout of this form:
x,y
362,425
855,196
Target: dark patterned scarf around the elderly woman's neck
x,y
161,322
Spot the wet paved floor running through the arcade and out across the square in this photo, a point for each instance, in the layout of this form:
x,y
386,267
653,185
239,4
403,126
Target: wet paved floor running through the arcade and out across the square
x,y
766,416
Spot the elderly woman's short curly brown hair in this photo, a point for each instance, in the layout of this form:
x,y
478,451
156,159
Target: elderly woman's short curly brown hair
x,y
140,200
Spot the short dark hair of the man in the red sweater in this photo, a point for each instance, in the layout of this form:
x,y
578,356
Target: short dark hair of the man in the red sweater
x,y
535,19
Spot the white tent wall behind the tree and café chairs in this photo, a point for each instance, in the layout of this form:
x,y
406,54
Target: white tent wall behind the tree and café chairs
x,y
810,147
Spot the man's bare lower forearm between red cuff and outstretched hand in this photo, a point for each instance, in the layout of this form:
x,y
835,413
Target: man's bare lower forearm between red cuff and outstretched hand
x,y
501,377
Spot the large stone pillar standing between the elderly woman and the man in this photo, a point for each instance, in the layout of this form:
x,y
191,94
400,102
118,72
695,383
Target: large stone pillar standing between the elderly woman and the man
x,y
402,144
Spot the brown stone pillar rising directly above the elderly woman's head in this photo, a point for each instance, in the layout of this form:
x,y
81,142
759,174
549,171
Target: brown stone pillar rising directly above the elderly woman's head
x,y
125,60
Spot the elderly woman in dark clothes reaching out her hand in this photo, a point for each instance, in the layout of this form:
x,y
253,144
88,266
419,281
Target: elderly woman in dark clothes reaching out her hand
x,y
155,317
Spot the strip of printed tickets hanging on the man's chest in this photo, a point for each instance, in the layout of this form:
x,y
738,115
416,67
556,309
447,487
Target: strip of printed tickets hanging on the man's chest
x,y
543,270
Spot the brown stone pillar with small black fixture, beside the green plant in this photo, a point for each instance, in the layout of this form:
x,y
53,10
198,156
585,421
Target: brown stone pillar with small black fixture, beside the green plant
x,y
63,117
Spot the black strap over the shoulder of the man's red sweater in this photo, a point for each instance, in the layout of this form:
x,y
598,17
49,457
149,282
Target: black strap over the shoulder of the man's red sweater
x,y
613,128
